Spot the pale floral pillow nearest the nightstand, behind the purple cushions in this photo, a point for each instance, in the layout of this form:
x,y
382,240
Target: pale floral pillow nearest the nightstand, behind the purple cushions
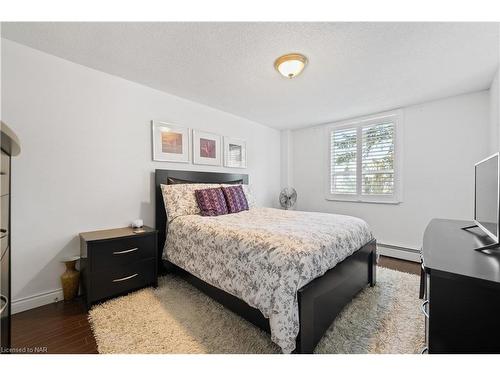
x,y
180,199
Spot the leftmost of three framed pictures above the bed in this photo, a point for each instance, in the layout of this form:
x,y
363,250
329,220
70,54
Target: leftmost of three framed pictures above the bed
x,y
170,142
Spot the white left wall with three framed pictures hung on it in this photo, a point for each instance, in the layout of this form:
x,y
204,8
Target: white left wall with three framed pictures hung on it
x,y
86,161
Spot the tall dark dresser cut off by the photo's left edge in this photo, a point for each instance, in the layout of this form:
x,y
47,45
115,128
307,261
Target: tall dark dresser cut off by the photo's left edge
x,y
9,147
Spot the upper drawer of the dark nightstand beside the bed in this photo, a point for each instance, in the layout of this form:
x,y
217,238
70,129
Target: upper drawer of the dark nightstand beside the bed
x,y
121,251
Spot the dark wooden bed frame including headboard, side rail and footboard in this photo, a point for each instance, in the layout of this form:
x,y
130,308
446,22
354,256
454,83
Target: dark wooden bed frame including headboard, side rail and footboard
x,y
319,301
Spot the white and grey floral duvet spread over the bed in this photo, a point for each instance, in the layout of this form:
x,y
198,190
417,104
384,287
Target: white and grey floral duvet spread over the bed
x,y
264,256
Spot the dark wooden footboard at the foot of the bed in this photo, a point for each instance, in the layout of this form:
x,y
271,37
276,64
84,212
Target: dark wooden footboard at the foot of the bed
x,y
323,298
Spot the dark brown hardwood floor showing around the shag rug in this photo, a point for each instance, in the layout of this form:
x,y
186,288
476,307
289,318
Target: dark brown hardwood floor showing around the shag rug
x,y
63,327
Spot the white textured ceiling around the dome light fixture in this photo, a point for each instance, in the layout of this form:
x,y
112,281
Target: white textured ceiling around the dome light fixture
x,y
354,68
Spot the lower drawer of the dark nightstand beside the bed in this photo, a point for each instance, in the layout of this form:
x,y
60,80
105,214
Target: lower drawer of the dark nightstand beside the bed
x,y
118,280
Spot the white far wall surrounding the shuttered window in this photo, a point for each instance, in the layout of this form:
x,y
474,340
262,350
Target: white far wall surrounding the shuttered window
x,y
442,141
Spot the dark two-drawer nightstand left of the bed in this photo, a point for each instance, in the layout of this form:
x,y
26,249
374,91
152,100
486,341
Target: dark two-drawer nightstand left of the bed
x,y
116,262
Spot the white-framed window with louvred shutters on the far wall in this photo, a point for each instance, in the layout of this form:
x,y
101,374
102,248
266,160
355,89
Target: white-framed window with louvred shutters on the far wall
x,y
364,159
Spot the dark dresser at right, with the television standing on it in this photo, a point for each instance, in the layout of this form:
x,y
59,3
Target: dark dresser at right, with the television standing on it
x,y
460,288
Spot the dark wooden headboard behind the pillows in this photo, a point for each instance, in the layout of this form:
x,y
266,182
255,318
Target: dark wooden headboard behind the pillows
x,y
169,177
